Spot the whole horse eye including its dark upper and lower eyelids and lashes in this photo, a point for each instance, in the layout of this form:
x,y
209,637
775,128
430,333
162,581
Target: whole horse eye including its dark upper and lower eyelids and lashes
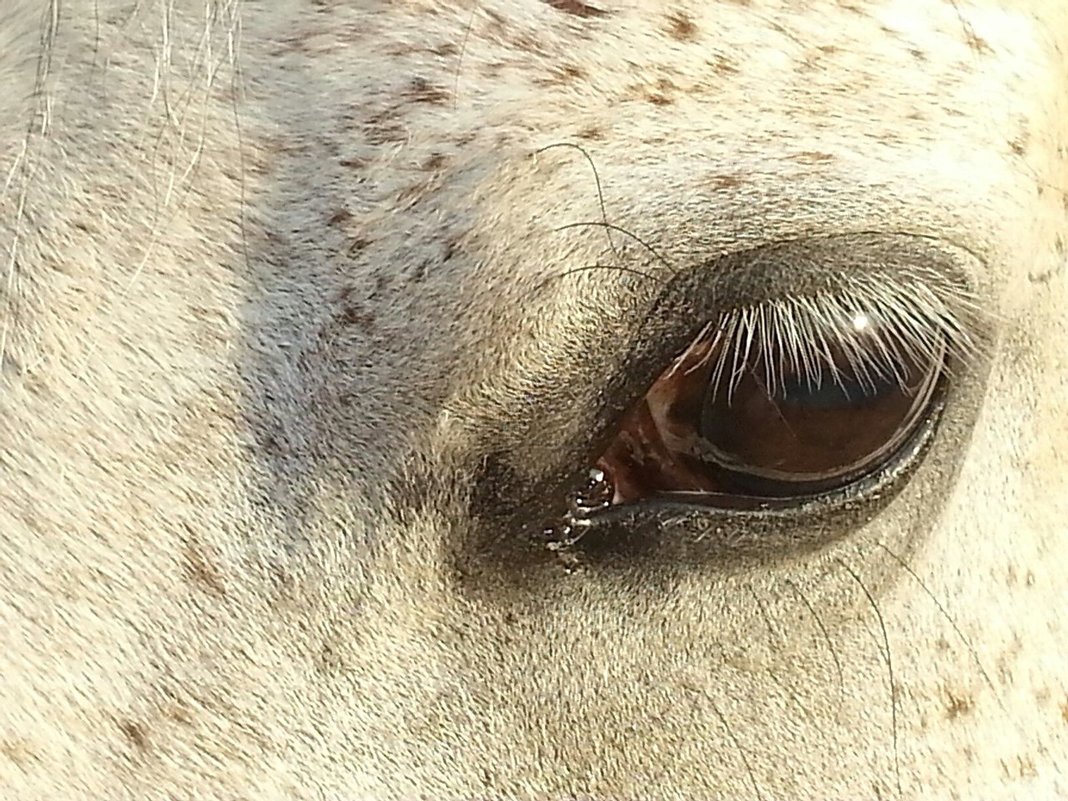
x,y
916,345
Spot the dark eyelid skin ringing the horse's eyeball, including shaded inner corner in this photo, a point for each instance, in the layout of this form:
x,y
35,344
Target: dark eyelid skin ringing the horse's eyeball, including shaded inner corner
x,y
530,456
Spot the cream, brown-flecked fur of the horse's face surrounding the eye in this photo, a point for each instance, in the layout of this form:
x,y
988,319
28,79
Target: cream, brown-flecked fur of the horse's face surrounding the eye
x,y
289,288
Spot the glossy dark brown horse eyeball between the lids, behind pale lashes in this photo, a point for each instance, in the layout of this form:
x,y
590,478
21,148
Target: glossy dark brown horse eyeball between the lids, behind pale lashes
x,y
776,409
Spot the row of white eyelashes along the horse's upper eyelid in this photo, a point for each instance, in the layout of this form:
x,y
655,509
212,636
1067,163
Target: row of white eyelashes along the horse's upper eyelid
x,y
876,328
